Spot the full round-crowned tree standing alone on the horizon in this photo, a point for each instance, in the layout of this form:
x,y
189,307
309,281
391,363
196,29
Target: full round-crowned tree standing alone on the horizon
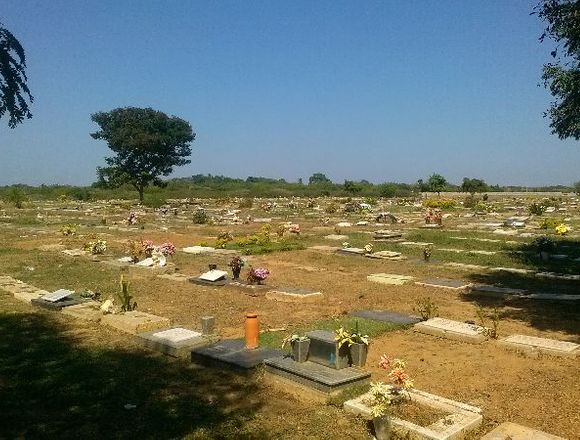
x,y
147,144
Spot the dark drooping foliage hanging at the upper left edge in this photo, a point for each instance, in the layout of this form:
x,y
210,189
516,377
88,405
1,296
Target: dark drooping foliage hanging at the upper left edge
x,y
14,91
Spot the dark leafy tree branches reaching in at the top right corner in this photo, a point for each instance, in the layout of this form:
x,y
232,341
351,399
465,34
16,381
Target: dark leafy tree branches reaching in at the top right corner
x,y
562,76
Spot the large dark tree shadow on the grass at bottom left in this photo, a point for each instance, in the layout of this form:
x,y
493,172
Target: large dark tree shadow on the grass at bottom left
x,y
52,387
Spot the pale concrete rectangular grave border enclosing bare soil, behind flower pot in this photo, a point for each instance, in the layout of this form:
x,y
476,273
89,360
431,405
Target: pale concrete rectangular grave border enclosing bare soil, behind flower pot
x,y
461,418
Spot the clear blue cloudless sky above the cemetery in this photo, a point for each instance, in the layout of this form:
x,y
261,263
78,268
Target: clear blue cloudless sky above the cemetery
x,y
390,90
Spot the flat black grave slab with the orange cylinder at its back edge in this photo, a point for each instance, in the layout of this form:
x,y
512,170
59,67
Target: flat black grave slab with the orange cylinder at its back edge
x,y
233,353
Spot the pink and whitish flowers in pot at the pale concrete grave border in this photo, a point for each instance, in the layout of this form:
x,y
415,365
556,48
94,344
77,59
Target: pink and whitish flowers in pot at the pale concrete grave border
x,y
382,395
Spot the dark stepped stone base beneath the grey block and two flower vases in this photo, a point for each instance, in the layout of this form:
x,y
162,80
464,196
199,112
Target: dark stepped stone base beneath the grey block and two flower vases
x,y
315,376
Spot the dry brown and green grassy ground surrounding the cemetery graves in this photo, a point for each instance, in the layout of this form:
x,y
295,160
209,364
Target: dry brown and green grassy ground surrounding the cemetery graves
x,y
61,377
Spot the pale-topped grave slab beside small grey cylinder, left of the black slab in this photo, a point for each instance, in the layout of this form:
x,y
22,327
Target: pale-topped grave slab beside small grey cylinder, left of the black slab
x,y
177,341
